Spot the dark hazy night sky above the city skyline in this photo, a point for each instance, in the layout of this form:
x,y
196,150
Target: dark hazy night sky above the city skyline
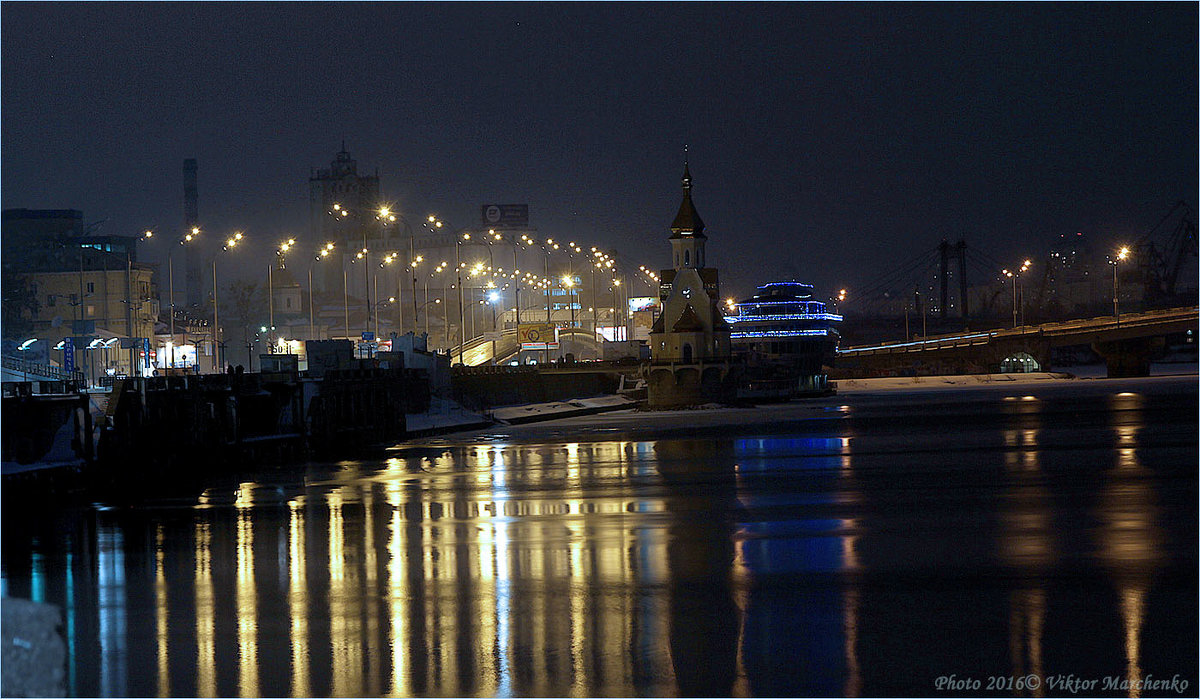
x,y
829,142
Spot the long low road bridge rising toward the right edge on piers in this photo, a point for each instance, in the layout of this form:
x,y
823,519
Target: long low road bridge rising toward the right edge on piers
x,y
1126,343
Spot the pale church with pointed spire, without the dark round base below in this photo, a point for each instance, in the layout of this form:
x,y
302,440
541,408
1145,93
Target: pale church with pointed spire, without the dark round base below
x,y
691,330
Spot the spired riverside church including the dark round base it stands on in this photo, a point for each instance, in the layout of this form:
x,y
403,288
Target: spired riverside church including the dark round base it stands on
x,y
691,357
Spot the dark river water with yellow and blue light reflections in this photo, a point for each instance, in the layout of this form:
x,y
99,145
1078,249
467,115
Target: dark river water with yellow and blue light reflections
x,y
872,545
